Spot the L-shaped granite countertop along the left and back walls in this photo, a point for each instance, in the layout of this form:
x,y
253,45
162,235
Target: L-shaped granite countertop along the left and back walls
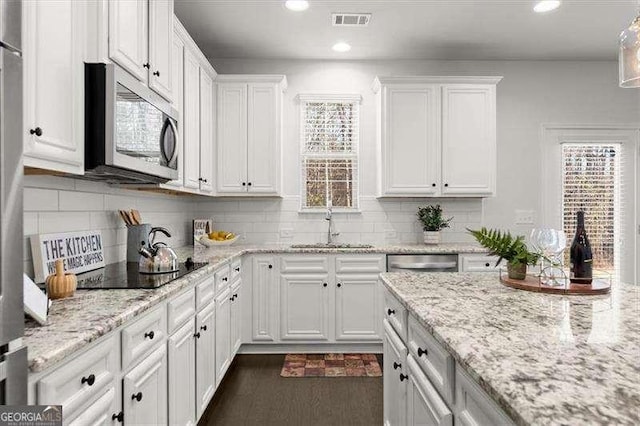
x,y
79,320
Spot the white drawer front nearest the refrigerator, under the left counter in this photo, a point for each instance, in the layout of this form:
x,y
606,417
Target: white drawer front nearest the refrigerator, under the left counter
x,y
81,379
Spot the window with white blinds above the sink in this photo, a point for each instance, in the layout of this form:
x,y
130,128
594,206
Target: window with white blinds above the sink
x,y
329,152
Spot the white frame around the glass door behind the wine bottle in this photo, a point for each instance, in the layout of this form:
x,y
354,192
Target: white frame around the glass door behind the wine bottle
x,y
628,135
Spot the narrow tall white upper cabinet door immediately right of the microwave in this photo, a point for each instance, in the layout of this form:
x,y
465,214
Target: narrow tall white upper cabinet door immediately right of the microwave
x,y
177,92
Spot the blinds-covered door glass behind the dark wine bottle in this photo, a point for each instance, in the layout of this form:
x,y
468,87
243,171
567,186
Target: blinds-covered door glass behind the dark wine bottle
x,y
592,182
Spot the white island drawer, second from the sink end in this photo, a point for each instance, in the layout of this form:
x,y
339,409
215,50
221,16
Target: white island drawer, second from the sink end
x,y
435,361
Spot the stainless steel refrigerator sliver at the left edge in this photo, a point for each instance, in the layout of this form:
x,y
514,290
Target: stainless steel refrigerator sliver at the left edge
x,y
13,354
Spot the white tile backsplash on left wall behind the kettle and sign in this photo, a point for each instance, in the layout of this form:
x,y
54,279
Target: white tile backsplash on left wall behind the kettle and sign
x,y
56,204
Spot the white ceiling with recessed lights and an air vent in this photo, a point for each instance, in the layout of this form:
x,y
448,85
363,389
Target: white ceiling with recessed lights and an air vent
x,y
418,29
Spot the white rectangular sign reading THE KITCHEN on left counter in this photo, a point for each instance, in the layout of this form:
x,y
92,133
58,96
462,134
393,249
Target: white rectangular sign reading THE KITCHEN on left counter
x,y
81,251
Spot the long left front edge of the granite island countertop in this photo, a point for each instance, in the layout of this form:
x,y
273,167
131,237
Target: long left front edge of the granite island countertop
x,y
480,381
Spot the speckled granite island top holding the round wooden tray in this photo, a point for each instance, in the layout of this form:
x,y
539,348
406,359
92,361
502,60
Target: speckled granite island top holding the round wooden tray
x,y
545,359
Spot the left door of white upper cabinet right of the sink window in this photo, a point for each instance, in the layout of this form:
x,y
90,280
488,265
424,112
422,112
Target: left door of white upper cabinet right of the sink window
x,y
410,140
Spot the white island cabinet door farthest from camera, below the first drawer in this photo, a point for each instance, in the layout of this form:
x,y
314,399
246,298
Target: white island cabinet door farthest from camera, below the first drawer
x,y
394,389
